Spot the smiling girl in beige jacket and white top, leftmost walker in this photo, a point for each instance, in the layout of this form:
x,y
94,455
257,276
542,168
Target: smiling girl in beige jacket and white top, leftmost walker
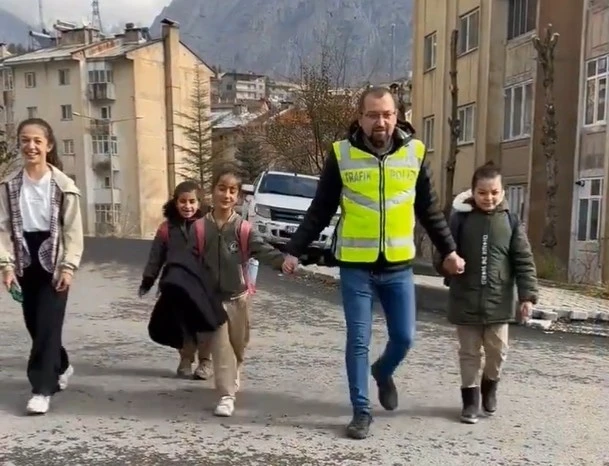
x,y
41,244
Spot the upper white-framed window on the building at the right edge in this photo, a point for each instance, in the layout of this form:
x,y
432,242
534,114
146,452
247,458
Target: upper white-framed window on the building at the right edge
x,y
596,91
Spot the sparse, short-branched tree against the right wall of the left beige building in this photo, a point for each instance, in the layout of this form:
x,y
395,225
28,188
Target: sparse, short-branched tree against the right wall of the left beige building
x,y
198,163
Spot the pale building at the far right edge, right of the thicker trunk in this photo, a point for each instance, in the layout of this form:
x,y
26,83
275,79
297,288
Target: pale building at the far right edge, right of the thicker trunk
x,y
589,258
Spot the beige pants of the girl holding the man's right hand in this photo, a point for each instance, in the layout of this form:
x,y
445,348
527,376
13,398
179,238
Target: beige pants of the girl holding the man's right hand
x,y
228,346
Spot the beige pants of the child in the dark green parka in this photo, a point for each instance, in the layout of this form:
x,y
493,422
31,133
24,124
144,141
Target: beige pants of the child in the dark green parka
x,y
472,340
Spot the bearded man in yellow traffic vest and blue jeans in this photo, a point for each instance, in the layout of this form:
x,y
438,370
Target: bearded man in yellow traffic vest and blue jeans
x,y
380,179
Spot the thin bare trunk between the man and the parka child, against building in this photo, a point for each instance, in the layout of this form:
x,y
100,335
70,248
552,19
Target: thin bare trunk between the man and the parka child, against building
x,y
454,124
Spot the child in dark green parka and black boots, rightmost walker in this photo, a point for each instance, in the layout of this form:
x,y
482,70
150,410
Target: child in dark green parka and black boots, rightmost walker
x,y
498,260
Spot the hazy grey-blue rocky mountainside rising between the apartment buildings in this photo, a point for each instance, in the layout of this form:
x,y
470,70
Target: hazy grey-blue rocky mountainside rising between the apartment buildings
x,y
272,37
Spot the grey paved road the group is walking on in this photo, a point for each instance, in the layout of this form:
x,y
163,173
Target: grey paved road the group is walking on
x,y
124,406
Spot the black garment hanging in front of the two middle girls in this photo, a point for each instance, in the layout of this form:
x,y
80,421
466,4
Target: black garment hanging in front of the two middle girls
x,y
188,303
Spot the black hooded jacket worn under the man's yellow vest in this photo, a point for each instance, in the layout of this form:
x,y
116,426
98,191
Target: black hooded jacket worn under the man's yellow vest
x,y
327,199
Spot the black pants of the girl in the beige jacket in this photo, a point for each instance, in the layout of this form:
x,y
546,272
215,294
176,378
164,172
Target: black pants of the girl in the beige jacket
x,y
44,311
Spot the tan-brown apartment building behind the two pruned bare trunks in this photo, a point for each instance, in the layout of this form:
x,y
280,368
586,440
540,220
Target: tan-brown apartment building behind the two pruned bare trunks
x,y
501,97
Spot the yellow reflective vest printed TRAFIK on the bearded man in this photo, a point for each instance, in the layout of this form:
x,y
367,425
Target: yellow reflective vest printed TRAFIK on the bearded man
x,y
377,203
